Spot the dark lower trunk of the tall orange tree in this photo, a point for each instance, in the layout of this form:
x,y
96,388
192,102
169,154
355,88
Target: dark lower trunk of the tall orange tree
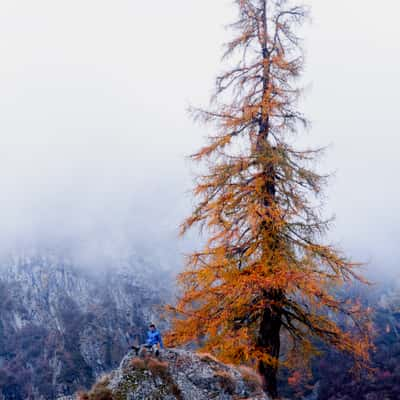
x,y
269,339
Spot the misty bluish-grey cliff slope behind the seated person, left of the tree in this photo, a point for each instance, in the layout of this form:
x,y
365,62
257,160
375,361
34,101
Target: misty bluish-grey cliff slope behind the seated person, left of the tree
x,y
62,326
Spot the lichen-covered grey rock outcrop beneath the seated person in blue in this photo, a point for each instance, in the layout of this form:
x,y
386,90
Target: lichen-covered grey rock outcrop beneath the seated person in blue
x,y
177,375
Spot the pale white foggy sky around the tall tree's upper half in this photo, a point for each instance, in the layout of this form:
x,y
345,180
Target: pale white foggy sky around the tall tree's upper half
x,y
94,129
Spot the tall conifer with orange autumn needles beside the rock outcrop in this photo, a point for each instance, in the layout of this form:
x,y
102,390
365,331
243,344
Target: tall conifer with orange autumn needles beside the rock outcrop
x,y
264,274
